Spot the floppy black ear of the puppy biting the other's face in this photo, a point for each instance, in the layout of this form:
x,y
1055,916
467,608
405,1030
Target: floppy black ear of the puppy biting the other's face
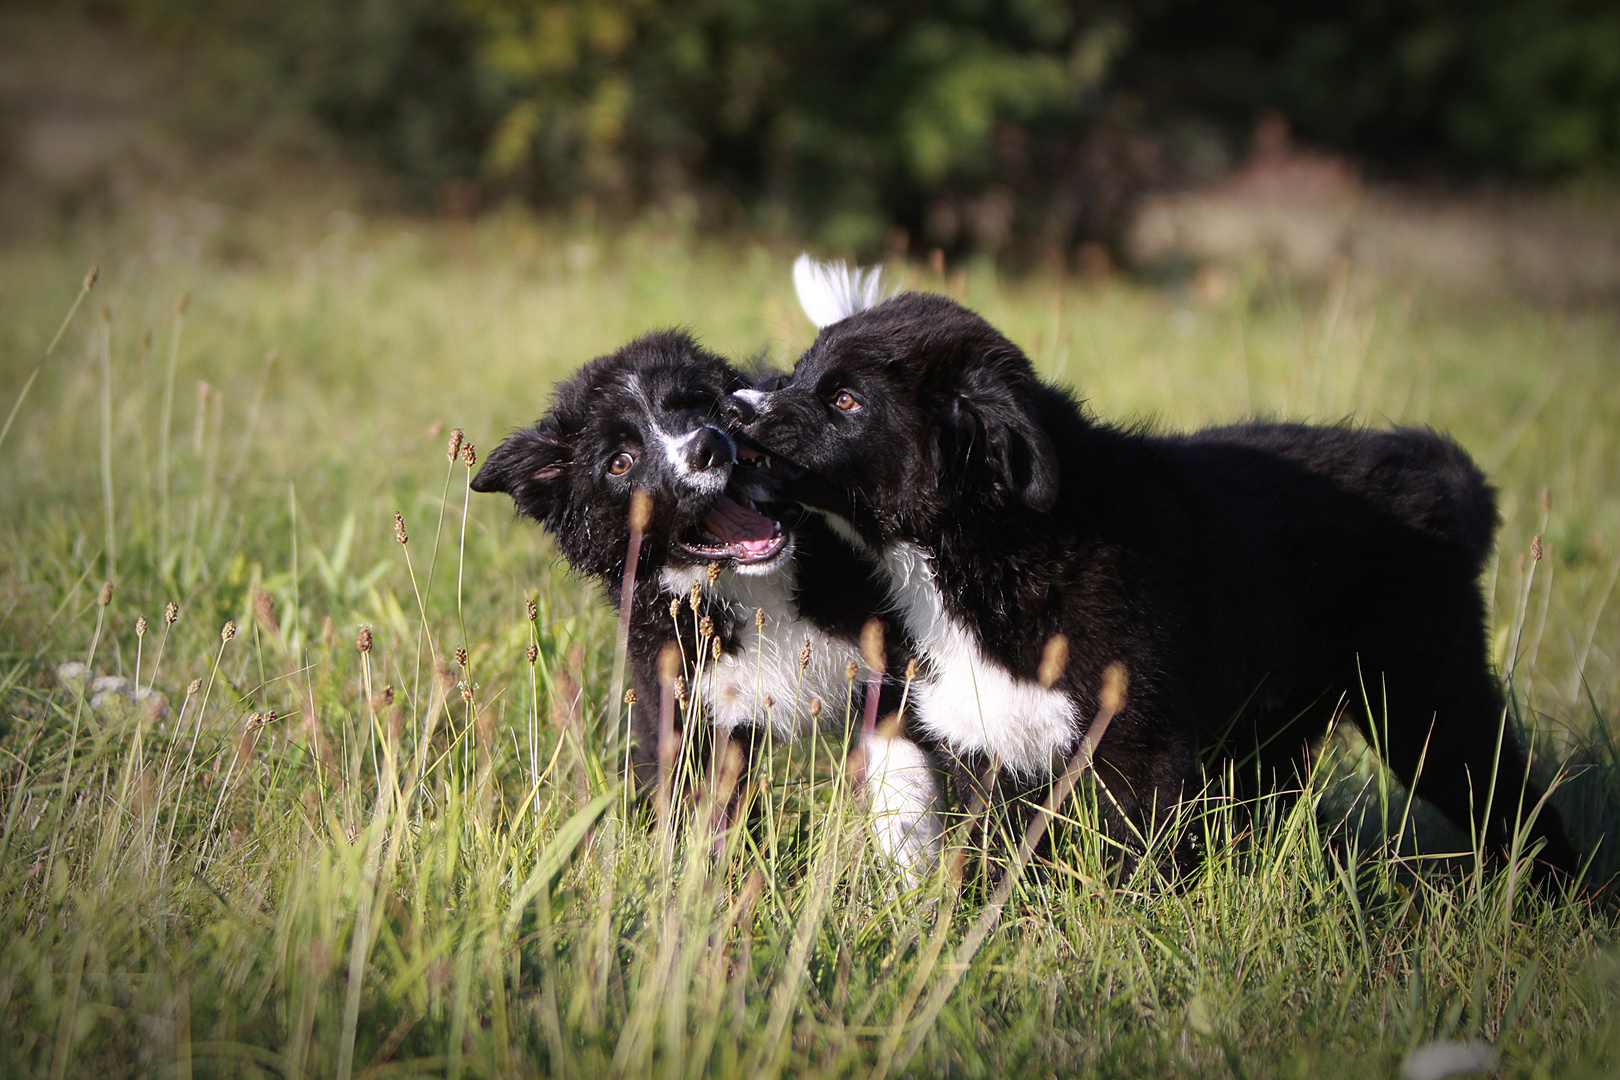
x,y
992,433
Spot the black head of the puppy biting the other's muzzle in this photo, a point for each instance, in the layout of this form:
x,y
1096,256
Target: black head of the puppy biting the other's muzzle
x,y
906,412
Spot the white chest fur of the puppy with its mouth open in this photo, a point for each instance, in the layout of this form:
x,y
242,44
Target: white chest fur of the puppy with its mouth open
x,y
762,684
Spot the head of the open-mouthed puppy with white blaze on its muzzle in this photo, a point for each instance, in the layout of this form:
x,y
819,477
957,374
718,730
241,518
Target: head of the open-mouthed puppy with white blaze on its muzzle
x,y
647,417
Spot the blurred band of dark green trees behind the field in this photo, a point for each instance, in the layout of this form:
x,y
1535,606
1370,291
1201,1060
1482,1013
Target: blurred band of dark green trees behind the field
x,y
1025,125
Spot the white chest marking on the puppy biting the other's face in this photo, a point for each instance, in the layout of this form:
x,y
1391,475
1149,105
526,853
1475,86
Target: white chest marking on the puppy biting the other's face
x,y
971,702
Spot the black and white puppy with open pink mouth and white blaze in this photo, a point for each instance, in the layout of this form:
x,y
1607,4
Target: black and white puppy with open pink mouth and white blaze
x,y
650,417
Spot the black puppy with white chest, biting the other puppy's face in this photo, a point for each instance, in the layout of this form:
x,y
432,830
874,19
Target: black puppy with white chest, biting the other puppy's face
x,y
1251,579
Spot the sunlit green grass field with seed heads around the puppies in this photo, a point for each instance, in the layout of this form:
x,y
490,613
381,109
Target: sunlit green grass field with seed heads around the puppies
x,y
326,862
